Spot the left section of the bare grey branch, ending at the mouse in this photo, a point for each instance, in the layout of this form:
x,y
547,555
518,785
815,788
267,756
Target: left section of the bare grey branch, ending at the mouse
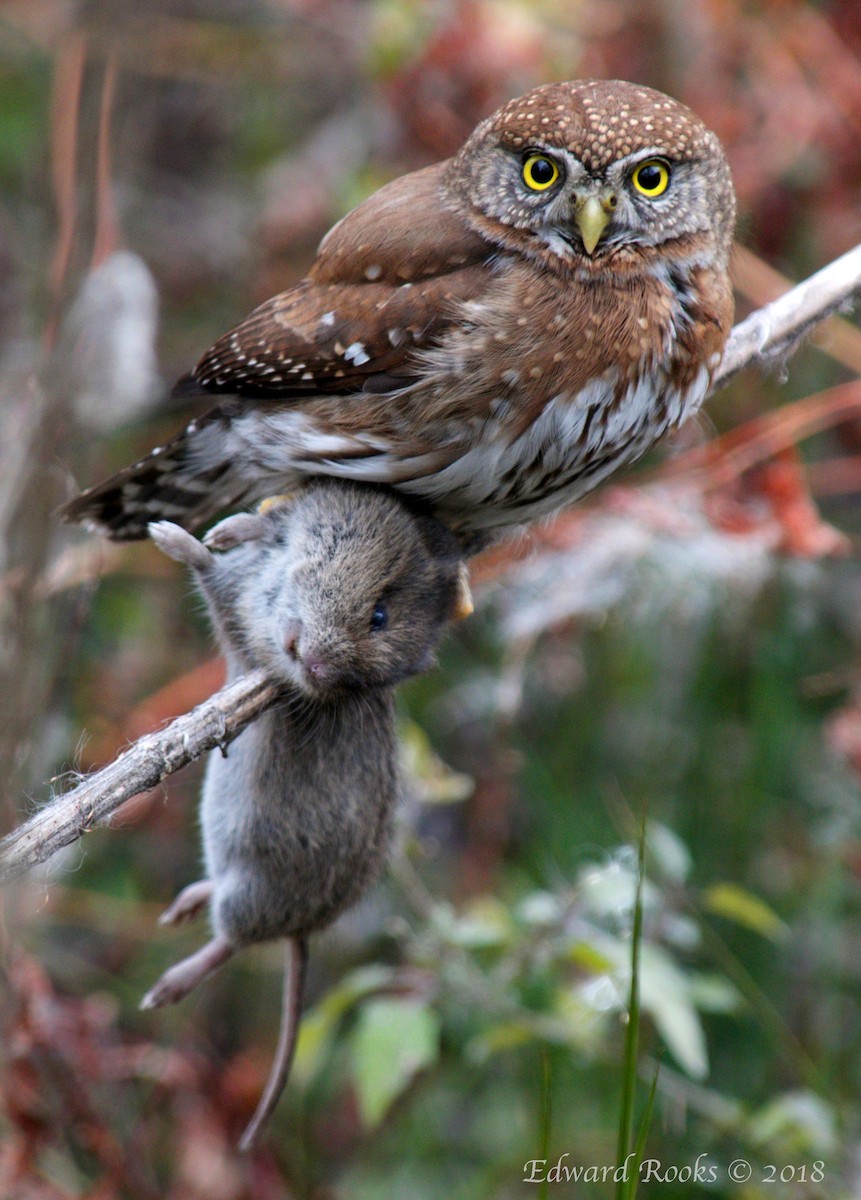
x,y
143,766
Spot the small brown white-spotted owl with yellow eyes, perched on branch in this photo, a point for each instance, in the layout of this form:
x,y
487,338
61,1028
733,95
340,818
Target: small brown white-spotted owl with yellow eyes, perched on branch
x,y
493,335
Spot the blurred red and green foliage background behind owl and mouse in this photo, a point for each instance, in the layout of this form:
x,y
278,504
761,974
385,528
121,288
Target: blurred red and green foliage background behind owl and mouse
x,y
683,646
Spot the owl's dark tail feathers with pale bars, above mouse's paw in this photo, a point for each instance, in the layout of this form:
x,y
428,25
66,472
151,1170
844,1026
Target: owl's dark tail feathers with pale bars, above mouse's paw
x,y
170,484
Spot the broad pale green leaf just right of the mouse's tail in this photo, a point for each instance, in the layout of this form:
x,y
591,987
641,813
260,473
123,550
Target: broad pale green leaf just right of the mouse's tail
x,y
393,1042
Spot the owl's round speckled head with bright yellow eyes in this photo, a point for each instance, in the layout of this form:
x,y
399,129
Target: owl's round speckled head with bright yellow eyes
x,y
598,175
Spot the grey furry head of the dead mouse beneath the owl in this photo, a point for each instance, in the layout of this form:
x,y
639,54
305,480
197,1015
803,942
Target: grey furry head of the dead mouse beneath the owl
x,y
356,592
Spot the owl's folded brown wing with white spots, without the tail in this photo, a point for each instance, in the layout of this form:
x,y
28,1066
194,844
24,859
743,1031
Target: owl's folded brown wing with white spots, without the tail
x,y
388,281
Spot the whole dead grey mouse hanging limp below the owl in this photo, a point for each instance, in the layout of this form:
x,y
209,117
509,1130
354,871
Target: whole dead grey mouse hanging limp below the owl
x,y
341,593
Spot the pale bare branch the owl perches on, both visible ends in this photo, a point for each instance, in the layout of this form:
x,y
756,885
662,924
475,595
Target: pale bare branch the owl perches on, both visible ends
x,y
767,335
